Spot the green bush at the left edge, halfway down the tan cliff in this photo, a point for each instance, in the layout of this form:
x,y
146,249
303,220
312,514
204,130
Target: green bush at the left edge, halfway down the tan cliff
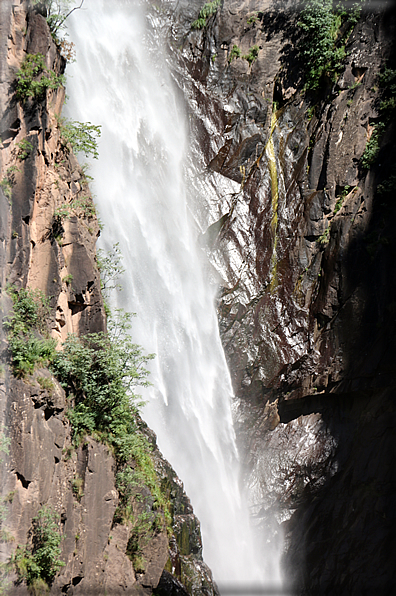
x,y
26,327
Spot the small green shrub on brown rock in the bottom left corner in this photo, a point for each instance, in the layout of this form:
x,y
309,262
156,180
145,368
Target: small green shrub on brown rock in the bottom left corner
x,y
38,563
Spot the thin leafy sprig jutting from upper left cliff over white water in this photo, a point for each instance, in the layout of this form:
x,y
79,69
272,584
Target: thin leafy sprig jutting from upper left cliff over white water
x,y
81,136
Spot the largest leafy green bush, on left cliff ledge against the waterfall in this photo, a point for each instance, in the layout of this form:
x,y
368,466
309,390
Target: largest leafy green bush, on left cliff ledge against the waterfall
x,y
100,371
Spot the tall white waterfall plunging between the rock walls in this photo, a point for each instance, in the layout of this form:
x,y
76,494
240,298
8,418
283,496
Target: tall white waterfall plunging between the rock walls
x,y
121,81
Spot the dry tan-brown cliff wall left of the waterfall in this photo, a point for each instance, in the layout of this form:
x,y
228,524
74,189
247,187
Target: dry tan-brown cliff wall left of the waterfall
x,y
43,249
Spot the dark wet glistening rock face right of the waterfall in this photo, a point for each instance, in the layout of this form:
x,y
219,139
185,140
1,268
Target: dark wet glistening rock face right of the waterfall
x,y
301,243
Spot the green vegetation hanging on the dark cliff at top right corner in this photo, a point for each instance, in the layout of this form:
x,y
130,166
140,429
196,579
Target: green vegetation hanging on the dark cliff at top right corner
x,y
320,47
